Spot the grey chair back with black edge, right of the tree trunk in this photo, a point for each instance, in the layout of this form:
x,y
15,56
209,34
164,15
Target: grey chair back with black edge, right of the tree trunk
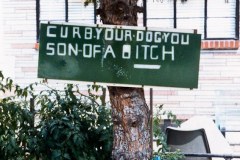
x,y
188,141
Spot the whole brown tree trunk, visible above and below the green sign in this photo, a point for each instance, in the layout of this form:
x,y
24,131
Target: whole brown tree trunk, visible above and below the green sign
x,y
130,113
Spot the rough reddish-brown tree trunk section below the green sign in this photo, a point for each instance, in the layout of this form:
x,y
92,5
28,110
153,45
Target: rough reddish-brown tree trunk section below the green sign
x,y
130,116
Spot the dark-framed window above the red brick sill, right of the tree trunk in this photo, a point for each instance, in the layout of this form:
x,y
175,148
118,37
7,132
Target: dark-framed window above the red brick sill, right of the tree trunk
x,y
214,19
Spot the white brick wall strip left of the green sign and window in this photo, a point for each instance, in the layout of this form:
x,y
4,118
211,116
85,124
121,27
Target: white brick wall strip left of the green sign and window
x,y
19,38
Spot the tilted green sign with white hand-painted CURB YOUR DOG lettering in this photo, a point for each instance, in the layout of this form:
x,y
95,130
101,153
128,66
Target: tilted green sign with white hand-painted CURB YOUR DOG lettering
x,y
113,55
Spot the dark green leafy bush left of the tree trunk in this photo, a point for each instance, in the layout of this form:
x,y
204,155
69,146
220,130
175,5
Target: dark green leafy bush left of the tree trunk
x,y
70,125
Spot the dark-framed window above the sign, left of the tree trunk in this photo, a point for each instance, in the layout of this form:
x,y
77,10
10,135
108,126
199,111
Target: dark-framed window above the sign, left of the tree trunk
x,y
64,11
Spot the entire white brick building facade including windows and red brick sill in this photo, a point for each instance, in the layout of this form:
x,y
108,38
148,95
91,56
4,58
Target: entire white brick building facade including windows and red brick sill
x,y
218,90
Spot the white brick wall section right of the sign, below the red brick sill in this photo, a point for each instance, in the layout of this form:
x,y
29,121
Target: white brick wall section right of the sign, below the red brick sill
x,y
219,72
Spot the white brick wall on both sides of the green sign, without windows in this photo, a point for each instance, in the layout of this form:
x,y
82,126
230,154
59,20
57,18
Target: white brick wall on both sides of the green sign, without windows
x,y
219,69
